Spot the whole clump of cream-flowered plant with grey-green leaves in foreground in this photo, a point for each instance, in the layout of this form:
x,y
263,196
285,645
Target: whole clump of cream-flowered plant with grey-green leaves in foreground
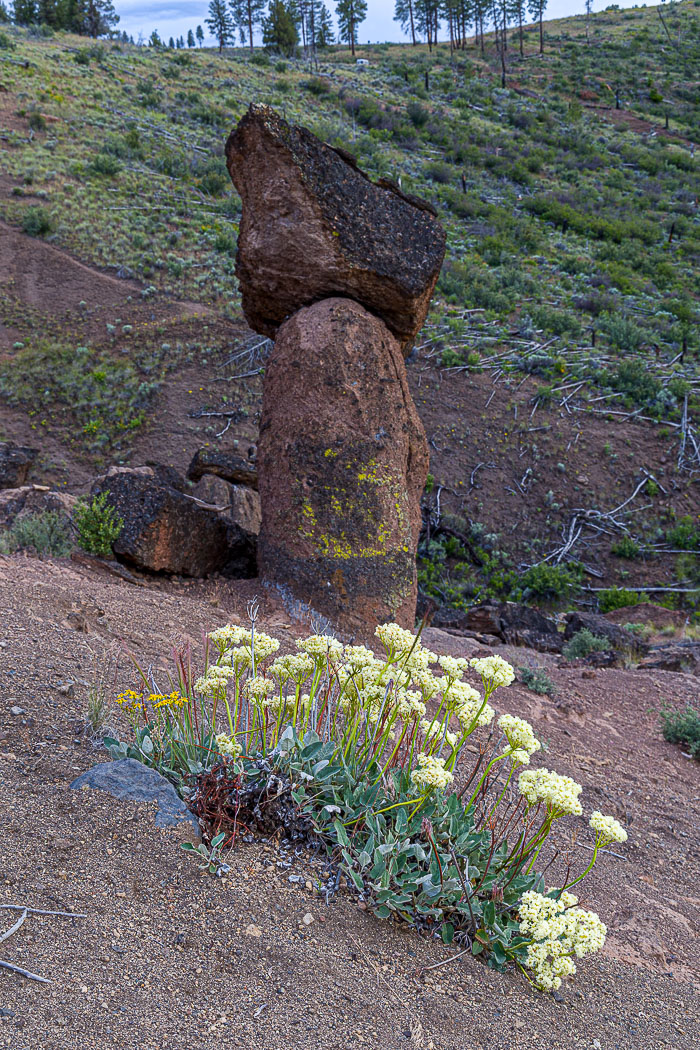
x,y
429,801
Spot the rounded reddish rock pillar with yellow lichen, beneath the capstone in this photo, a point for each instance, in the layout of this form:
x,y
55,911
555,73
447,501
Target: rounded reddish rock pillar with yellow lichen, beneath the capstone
x,y
344,459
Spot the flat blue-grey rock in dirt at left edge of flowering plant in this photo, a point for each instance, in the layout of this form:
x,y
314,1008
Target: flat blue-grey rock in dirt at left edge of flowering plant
x,y
130,780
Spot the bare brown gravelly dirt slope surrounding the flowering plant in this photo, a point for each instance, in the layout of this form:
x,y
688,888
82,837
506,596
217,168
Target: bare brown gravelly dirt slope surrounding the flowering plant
x,y
168,958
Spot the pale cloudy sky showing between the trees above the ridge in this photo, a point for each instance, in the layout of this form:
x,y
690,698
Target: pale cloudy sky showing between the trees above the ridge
x,y
176,18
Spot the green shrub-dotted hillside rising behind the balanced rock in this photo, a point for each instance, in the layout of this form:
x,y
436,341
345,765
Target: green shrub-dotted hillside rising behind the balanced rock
x,y
570,198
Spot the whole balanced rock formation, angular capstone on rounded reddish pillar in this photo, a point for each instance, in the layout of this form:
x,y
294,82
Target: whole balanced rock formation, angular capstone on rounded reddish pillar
x,y
342,271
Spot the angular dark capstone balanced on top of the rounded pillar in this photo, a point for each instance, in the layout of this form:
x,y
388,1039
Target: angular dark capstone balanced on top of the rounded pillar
x,y
314,227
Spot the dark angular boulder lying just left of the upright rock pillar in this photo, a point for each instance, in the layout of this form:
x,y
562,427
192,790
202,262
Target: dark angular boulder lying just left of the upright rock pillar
x,y
167,532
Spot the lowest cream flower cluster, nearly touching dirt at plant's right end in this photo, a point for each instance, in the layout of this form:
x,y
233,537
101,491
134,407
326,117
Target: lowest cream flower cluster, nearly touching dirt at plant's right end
x,y
560,932
